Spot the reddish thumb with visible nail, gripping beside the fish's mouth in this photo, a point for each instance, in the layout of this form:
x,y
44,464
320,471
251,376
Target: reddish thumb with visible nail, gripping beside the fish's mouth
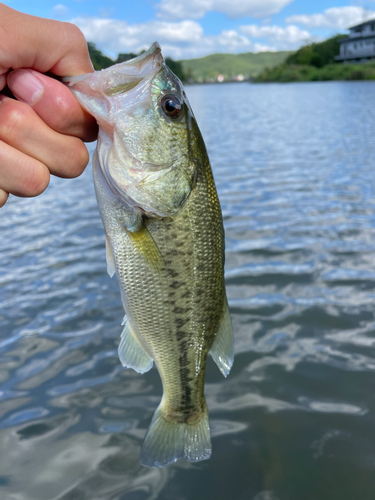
x,y
53,102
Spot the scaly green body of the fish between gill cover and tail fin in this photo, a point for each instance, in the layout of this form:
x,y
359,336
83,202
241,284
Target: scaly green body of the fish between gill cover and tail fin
x,y
184,303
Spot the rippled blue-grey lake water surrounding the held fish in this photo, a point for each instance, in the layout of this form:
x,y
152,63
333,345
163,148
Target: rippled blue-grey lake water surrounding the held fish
x,y
294,167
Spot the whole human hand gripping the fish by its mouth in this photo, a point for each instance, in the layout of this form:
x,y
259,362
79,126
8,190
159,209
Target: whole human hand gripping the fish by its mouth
x,y
42,132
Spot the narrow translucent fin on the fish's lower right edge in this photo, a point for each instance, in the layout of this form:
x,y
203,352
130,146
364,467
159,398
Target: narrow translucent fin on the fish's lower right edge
x,y
222,350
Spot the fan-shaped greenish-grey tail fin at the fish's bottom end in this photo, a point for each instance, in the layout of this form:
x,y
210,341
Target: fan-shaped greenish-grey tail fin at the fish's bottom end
x,y
166,441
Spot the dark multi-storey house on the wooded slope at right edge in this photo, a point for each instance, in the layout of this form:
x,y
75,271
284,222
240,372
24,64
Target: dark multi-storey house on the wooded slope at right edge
x,y
359,45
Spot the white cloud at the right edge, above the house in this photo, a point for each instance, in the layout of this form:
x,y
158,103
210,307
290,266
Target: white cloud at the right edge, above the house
x,y
339,18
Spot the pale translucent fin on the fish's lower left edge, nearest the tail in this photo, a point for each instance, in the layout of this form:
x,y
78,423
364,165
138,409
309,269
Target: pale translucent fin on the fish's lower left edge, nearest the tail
x,y
131,352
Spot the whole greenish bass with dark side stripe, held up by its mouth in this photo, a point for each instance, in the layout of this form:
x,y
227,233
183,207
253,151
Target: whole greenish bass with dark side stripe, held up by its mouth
x,y
164,240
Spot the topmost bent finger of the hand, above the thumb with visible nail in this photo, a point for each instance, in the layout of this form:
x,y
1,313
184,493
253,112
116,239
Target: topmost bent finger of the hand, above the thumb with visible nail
x,y
42,44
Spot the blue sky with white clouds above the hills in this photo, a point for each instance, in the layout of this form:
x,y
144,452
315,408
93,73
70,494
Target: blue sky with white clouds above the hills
x,y
187,29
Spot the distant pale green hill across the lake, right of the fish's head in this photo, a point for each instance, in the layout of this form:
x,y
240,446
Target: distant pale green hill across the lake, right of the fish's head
x,y
247,64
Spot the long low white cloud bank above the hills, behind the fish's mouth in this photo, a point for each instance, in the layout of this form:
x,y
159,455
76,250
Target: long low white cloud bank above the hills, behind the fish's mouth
x,y
186,39
